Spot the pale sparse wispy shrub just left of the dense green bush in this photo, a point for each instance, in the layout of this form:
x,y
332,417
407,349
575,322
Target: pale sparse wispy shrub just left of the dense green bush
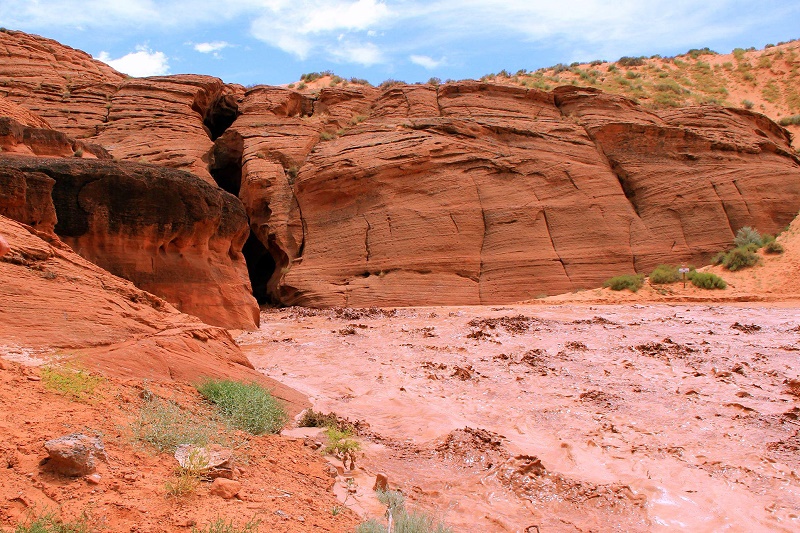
x,y
164,425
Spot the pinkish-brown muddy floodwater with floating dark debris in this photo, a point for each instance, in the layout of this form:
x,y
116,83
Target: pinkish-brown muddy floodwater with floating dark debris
x,y
567,418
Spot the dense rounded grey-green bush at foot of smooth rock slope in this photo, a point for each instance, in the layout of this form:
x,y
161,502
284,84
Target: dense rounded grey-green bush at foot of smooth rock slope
x,y
249,407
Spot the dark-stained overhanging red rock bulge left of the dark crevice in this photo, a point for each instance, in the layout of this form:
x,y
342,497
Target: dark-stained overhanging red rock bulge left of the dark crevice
x,y
167,231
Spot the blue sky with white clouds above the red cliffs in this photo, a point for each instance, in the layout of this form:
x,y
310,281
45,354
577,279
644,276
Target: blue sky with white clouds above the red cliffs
x,y
275,41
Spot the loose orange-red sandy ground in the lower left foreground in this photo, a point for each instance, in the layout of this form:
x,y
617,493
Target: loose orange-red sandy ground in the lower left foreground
x,y
285,485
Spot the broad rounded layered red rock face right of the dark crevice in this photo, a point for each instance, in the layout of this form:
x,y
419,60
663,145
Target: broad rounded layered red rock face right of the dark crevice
x,y
478,193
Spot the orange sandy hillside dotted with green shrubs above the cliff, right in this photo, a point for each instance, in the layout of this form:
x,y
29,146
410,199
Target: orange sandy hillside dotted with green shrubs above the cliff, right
x,y
763,80
